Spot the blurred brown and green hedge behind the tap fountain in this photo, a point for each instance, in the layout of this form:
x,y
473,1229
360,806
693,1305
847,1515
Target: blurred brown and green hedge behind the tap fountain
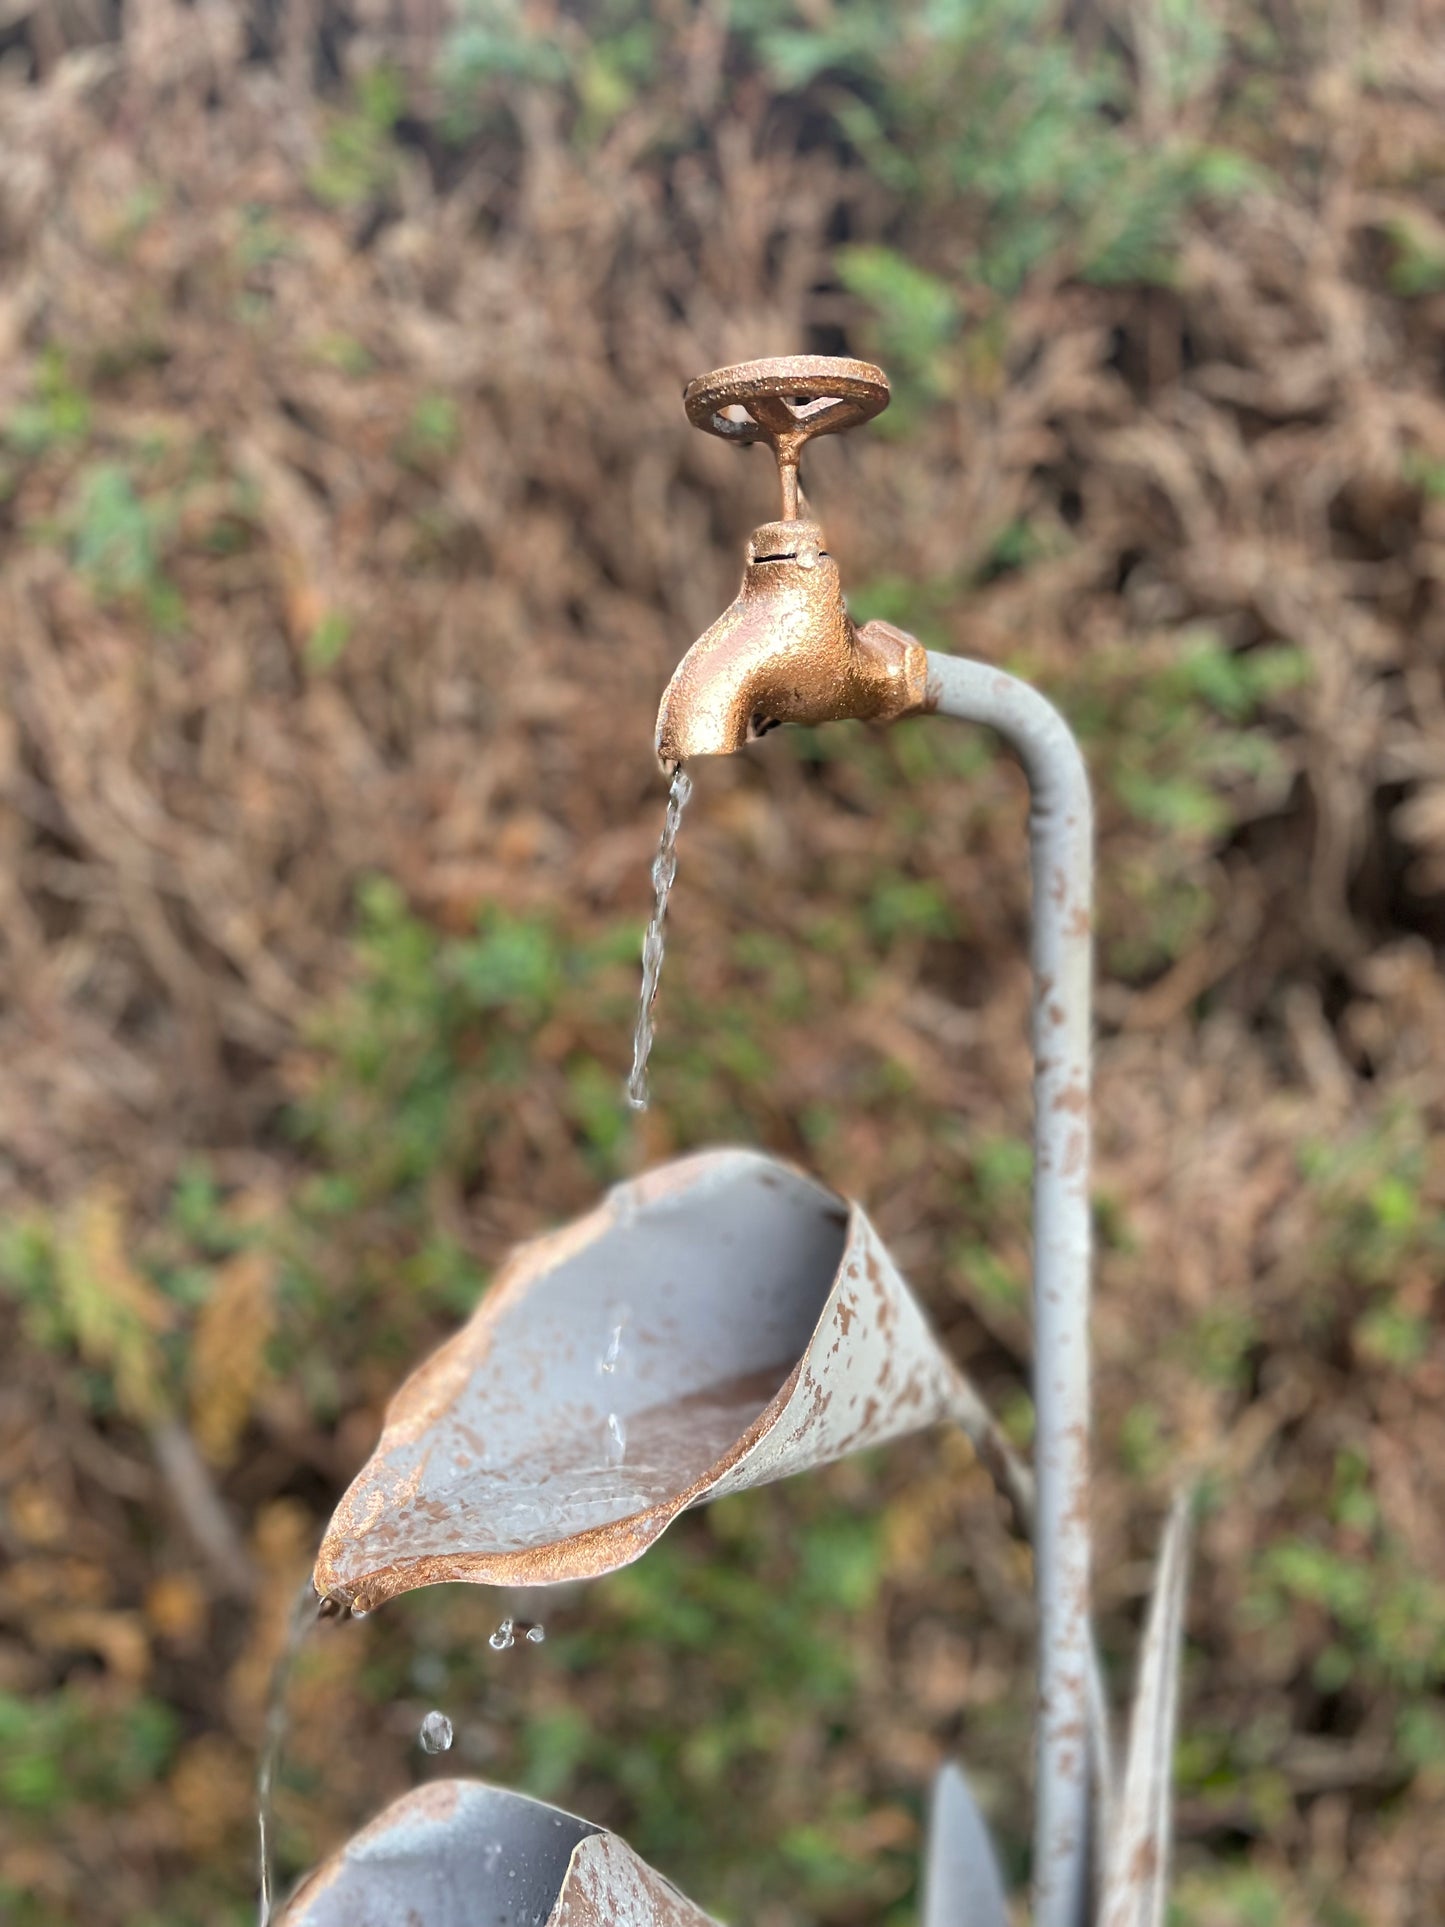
x,y
352,527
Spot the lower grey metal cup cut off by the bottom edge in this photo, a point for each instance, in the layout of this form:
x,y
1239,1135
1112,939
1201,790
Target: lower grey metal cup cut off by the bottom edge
x,y
465,1855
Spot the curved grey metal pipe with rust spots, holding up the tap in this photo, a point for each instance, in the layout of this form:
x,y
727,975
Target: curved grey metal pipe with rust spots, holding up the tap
x,y
1061,843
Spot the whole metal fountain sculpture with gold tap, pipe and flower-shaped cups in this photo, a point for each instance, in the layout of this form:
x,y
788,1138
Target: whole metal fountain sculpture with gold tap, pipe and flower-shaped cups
x,y
768,1331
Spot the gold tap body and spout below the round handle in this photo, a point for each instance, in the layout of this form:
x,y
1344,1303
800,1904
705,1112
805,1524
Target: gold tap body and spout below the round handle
x,y
787,652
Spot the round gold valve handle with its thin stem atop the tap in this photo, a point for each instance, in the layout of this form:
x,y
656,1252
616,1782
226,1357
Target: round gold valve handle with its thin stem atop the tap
x,y
789,400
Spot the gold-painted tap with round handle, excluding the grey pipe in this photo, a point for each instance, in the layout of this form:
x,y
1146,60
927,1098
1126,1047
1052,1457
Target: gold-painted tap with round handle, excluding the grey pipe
x,y
787,650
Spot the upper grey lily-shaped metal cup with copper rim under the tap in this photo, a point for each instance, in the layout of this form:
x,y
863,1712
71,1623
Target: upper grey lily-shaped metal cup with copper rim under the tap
x,y
764,1331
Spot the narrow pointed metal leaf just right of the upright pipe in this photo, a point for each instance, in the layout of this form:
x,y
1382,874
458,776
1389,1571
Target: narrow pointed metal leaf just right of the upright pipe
x,y
1138,1874
